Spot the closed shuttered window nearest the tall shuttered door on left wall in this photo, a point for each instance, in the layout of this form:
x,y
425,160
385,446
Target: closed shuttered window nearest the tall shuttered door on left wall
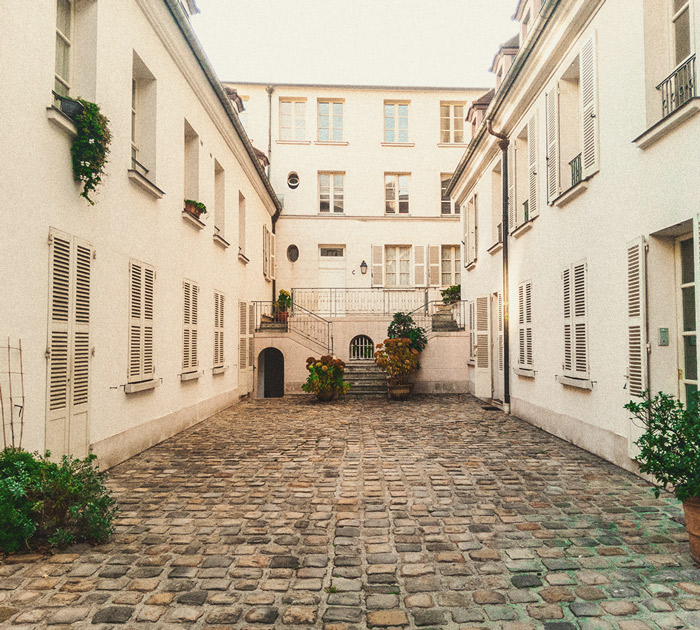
x,y
141,293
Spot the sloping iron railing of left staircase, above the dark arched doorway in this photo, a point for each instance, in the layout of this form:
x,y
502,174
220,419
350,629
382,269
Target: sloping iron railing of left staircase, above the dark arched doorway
x,y
298,320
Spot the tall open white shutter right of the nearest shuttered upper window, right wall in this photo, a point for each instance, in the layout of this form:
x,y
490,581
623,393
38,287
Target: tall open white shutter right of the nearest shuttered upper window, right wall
x,y
589,108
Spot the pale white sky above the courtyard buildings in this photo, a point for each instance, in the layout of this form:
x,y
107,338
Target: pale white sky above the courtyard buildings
x,y
441,43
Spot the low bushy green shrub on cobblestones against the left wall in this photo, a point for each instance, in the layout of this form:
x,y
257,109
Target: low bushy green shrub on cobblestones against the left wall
x,y
41,501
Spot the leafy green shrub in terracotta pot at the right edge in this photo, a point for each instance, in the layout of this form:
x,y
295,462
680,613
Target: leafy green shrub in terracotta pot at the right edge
x,y
670,451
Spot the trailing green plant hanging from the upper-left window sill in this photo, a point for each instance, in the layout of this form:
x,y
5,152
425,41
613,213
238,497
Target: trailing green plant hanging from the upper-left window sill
x,y
90,148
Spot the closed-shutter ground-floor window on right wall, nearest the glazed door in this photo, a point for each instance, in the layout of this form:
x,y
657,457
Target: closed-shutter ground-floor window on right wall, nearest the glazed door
x,y
575,322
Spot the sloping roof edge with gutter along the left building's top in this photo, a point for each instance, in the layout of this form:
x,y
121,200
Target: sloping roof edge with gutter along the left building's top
x,y
191,37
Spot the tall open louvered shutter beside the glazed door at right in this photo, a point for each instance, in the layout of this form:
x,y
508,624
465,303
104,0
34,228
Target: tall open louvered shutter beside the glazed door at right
x,y
636,317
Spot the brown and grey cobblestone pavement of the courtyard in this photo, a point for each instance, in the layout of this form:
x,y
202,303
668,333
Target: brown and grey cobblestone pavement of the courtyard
x,y
431,513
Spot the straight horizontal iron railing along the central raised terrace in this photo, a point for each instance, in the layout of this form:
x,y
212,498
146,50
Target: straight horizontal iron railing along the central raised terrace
x,y
342,302
